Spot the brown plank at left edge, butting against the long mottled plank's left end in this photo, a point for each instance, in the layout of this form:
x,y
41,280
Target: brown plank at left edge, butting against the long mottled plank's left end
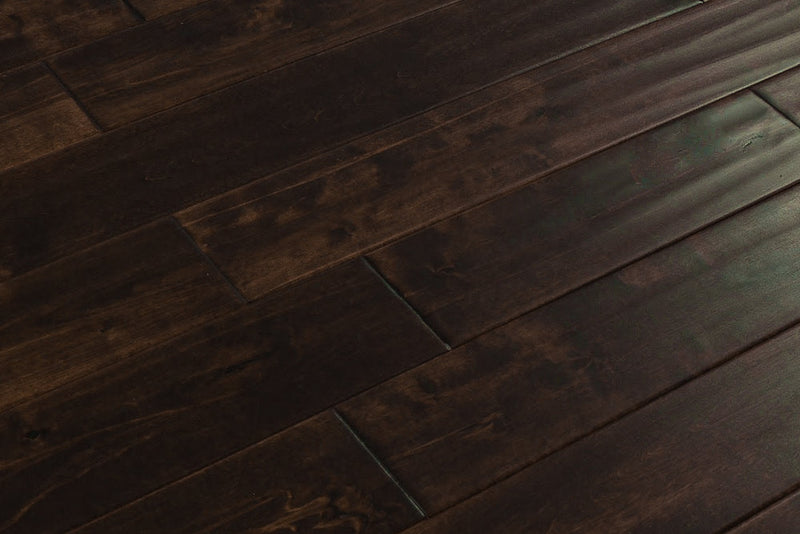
x,y
90,310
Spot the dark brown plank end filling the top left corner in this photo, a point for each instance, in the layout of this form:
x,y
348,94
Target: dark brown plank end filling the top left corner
x,y
31,30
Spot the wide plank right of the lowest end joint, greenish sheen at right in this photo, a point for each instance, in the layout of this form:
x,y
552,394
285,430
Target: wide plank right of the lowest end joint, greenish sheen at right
x,y
481,412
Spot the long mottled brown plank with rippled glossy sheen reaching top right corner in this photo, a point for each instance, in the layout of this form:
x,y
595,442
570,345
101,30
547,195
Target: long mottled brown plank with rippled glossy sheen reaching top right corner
x,y
561,112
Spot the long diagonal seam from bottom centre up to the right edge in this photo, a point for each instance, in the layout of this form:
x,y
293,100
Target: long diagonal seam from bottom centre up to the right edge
x,y
633,409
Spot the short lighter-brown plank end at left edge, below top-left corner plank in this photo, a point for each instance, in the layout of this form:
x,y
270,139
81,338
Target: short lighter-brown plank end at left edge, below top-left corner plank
x,y
37,116
